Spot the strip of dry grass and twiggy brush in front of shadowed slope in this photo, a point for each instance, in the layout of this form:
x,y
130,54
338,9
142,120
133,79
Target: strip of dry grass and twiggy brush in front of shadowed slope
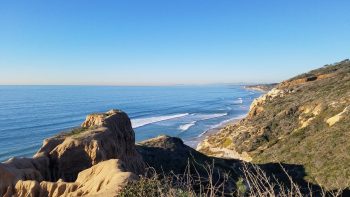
x,y
254,183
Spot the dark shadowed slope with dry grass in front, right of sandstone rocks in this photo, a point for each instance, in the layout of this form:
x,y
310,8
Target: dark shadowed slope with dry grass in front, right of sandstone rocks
x,y
176,169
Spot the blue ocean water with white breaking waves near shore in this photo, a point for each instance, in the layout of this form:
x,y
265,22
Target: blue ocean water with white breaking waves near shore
x,y
29,114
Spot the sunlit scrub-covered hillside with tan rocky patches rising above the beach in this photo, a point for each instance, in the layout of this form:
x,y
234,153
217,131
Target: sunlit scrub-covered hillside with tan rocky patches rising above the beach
x,y
303,121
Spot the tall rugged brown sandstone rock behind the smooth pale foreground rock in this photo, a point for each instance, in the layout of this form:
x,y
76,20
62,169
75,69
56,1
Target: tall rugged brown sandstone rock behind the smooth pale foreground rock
x,y
103,136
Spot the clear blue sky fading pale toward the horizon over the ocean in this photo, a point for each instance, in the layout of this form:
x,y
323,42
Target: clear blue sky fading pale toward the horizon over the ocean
x,y
149,42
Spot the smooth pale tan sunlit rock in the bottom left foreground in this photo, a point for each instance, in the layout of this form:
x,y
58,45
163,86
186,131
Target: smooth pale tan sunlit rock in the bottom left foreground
x,y
104,179
